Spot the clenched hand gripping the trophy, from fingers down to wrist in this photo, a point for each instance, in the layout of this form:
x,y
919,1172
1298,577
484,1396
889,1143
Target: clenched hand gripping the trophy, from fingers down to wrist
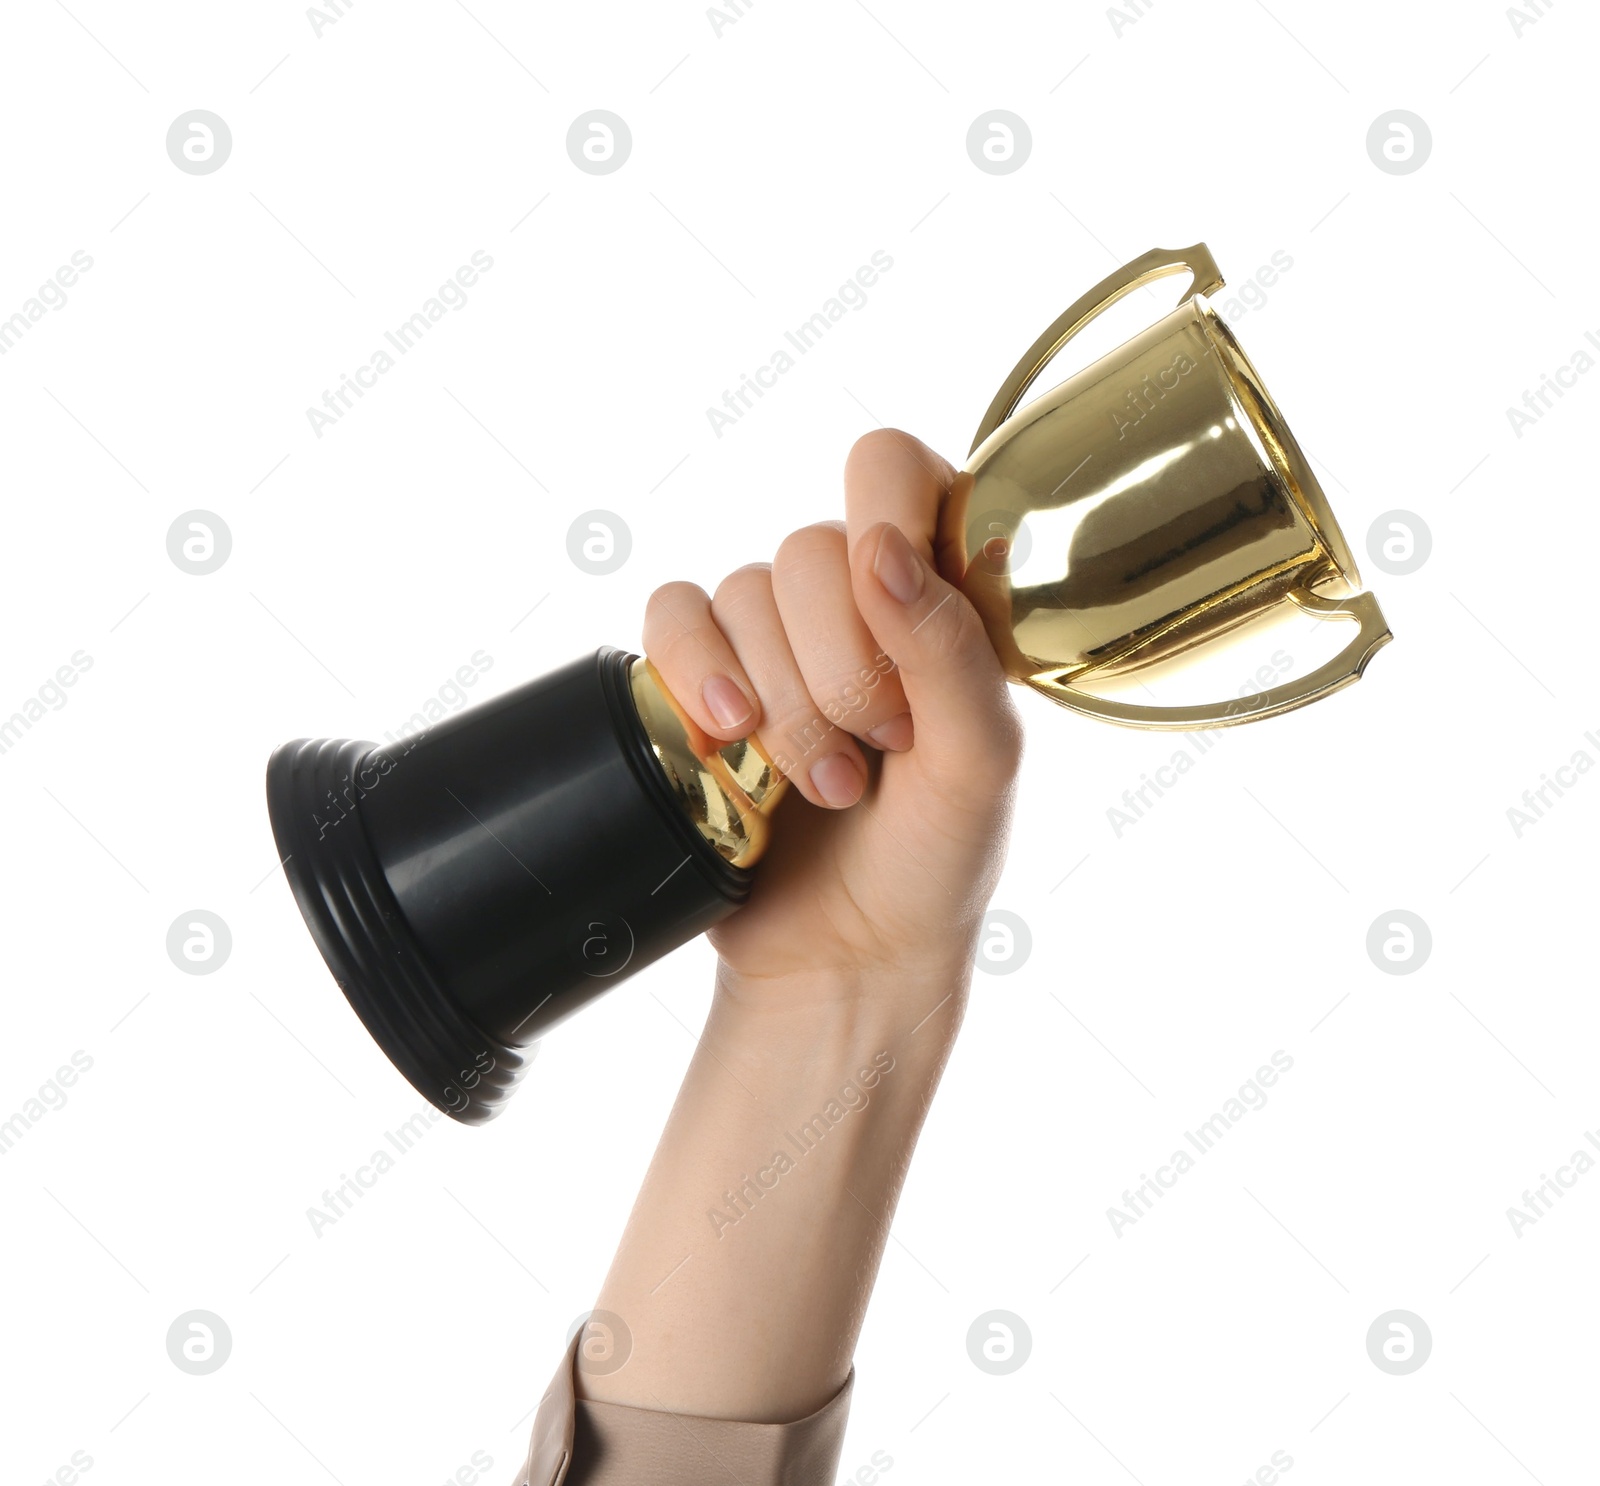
x,y
871,682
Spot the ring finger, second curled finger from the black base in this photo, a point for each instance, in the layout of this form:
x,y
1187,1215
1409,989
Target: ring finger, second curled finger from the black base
x,y
822,759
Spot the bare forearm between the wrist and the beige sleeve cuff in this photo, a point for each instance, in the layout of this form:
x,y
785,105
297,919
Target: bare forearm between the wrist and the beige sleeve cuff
x,y
750,1258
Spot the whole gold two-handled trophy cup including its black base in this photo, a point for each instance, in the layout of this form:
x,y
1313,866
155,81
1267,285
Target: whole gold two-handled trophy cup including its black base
x,y
487,879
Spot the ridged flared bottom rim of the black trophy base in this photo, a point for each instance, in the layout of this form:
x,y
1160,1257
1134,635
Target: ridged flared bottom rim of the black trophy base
x,y
313,797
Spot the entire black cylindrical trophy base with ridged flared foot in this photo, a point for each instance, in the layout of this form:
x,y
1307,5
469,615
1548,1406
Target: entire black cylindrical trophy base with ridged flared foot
x,y
478,884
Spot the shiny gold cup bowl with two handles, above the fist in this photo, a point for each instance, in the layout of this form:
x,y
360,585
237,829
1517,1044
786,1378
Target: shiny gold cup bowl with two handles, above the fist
x,y
1166,501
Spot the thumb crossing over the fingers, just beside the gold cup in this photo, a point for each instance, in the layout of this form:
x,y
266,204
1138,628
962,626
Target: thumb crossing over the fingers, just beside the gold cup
x,y
966,725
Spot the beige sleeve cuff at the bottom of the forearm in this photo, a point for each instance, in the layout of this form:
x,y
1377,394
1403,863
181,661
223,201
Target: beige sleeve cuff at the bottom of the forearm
x,y
580,1444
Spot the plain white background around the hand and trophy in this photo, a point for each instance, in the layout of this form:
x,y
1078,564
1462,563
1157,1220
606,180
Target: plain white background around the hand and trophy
x,y
769,162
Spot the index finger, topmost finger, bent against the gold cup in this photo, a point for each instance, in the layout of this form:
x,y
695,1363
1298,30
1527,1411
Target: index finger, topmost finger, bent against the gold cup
x,y
894,477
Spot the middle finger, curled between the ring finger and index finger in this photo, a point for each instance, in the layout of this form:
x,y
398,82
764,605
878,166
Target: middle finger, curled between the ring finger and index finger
x,y
850,681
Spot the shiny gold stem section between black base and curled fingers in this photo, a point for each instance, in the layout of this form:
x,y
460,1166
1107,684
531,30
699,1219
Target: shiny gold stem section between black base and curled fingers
x,y
727,793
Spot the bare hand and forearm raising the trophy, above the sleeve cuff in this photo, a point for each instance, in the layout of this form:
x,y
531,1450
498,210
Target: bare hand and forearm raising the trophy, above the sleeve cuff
x,y
748,1263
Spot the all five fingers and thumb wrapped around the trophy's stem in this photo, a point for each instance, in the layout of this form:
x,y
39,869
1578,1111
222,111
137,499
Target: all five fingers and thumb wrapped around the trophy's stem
x,y
854,633
